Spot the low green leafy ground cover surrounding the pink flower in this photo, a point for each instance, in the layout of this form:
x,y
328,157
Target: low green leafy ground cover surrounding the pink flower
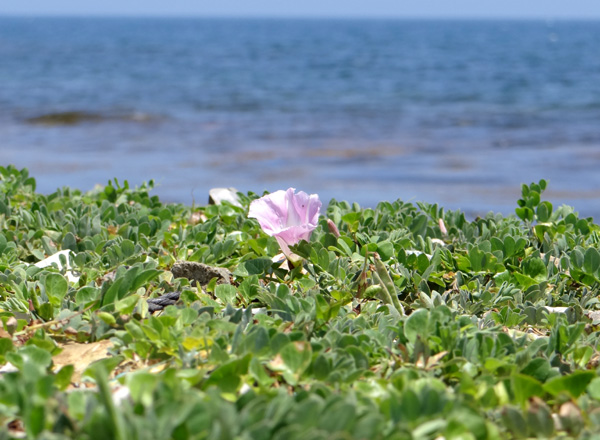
x,y
413,323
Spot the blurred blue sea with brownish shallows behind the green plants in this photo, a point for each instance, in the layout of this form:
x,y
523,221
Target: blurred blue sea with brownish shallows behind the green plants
x,y
453,112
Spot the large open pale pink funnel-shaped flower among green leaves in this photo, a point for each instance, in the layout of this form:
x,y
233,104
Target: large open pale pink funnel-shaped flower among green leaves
x,y
286,216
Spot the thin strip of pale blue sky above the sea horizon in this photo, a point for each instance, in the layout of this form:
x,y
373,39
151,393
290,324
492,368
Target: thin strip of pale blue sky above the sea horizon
x,y
524,9
